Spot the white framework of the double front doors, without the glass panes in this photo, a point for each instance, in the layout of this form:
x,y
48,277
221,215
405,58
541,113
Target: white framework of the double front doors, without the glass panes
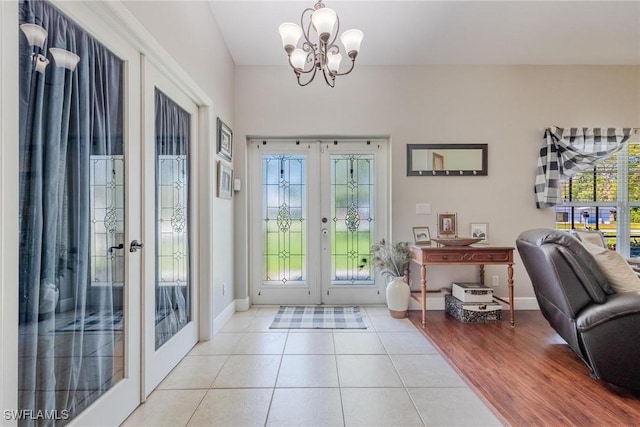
x,y
321,292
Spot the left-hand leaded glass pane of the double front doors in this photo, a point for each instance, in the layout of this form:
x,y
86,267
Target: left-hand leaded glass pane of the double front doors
x,y
284,219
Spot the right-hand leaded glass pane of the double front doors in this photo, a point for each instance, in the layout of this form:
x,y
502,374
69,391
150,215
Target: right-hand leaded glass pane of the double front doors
x,y
352,212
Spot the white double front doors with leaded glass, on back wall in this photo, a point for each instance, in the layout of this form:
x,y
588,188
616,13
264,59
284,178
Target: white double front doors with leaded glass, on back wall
x,y
317,207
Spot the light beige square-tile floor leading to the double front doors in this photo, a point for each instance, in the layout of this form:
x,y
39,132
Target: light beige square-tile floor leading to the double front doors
x,y
248,375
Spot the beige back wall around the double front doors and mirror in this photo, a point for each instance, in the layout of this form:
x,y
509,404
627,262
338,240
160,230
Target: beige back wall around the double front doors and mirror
x,y
506,107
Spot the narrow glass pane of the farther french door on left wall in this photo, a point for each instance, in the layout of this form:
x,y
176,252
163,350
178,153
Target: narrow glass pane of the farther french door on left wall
x,y
173,287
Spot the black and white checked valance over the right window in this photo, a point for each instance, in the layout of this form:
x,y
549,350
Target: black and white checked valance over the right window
x,y
569,151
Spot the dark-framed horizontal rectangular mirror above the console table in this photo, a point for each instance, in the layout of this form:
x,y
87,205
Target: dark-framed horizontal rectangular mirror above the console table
x,y
447,159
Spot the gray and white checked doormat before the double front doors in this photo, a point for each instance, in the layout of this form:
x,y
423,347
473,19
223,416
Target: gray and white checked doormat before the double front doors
x,y
299,317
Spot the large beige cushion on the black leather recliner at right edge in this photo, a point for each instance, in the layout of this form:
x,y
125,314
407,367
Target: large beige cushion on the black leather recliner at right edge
x,y
618,272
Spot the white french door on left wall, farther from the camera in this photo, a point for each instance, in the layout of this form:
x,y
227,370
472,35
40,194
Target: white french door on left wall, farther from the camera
x,y
170,300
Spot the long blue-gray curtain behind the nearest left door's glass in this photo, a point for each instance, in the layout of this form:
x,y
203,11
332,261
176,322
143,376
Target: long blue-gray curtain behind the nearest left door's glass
x,y
65,117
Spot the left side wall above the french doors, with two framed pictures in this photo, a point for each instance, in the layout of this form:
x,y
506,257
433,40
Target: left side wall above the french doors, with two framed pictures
x,y
189,33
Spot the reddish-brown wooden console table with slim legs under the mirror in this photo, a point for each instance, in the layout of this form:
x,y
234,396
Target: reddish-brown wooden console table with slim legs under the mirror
x,y
460,255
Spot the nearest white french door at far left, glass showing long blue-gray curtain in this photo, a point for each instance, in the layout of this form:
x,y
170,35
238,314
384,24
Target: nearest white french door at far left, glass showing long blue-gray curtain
x,y
79,324
